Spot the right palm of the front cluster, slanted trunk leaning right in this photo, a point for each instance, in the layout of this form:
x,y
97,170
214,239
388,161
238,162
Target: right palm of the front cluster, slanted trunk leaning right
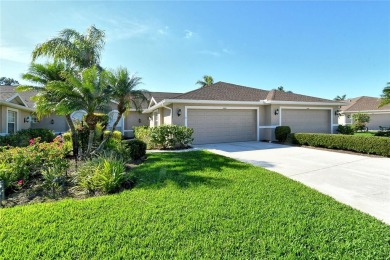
x,y
125,93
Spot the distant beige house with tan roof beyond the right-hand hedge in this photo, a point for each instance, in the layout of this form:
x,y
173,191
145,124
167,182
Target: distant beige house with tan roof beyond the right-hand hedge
x,y
379,116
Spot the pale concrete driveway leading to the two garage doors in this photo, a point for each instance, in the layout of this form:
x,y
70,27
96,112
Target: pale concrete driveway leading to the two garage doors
x,y
359,181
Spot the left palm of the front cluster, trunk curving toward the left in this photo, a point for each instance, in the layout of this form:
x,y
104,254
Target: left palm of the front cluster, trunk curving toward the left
x,y
48,101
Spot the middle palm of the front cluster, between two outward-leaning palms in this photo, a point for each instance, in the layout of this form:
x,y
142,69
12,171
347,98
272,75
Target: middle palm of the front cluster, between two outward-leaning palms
x,y
90,91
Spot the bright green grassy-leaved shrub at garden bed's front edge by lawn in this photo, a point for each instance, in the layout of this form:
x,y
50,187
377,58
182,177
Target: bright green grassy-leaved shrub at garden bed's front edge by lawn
x,y
103,175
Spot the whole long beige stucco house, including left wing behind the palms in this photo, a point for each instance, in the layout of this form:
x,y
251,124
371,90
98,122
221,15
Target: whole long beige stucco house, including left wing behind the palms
x,y
222,112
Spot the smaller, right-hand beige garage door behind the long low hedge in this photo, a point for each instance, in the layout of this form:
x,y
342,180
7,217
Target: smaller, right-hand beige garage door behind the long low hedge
x,y
307,120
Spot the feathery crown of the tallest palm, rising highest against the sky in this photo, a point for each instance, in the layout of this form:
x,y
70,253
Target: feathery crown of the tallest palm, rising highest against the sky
x,y
81,50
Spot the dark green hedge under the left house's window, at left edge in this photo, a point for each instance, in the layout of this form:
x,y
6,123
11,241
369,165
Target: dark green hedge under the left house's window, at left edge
x,y
22,137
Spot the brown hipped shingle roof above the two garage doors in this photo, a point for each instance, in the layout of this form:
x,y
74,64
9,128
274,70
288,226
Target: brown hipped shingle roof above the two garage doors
x,y
230,92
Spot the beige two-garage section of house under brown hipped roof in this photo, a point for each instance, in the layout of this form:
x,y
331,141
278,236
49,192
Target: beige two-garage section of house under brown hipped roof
x,y
226,112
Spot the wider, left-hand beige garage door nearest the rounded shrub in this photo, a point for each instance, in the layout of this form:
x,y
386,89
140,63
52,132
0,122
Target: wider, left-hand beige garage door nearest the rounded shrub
x,y
222,125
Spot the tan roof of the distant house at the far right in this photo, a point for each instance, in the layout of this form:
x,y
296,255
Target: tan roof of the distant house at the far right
x,y
364,103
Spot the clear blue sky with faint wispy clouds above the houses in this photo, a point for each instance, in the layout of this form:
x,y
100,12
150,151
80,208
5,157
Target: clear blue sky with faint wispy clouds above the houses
x,y
317,48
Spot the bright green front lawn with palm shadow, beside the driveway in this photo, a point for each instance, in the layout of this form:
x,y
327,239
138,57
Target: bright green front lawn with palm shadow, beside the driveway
x,y
195,205
